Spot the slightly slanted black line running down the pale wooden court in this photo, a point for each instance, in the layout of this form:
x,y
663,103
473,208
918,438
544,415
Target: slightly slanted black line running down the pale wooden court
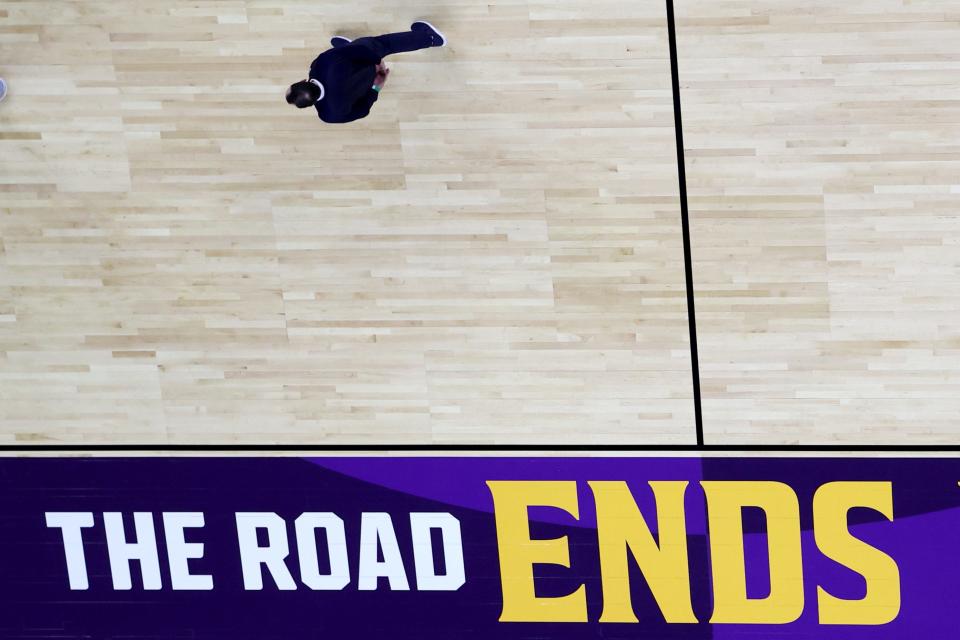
x,y
685,223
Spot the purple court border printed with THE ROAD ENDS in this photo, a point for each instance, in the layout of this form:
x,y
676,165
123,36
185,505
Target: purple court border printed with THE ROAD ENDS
x,y
479,547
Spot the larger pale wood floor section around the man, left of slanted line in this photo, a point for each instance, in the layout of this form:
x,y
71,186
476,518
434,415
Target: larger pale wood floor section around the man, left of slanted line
x,y
494,256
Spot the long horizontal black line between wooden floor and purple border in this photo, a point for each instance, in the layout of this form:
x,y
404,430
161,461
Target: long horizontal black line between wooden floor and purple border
x,y
361,448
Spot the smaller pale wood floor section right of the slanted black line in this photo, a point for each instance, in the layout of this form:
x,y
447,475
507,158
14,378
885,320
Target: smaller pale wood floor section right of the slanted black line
x,y
823,164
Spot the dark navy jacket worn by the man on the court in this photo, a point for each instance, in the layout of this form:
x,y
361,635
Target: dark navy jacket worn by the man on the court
x,y
347,74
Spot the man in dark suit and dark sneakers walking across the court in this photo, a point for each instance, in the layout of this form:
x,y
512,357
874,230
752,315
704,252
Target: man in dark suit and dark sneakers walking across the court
x,y
346,80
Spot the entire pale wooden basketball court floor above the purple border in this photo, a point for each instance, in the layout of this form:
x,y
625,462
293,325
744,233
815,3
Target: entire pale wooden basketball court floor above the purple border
x,y
496,254
